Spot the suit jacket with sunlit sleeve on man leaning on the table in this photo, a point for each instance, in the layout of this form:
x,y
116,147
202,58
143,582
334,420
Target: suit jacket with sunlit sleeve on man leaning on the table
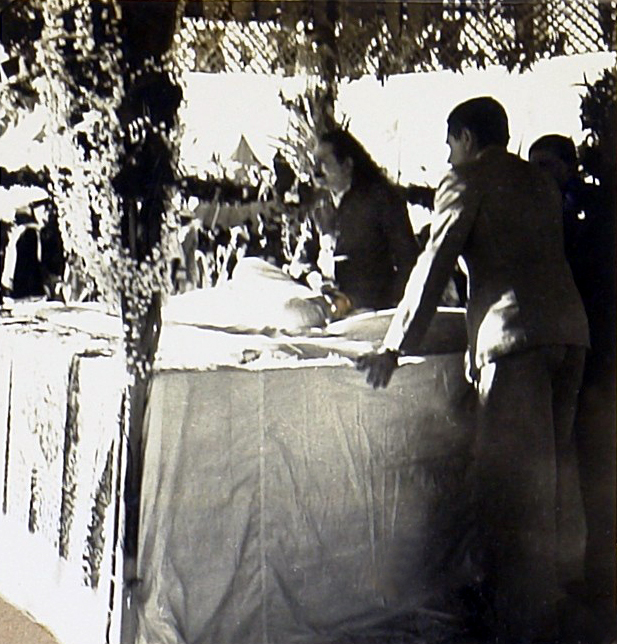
x,y
504,217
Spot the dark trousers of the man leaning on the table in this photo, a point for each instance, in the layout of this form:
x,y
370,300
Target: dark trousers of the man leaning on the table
x,y
528,498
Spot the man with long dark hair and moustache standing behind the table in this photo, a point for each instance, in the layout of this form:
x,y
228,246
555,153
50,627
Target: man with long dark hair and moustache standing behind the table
x,y
367,245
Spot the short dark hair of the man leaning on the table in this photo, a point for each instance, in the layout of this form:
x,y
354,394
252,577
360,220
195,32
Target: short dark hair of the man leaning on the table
x,y
484,117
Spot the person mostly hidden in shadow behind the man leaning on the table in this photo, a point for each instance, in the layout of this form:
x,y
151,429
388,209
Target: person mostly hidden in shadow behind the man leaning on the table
x,y
589,239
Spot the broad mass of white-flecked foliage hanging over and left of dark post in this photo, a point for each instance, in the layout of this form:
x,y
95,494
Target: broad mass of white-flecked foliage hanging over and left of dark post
x,y
113,136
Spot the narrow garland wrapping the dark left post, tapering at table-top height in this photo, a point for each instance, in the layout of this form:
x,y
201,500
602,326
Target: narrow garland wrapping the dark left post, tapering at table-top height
x,y
153,129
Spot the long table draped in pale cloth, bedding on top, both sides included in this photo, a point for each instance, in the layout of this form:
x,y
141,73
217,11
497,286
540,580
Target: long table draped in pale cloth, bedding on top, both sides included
x,y
284,501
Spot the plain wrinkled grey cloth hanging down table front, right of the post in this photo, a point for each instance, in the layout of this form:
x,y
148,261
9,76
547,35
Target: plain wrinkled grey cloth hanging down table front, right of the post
x,y
293,503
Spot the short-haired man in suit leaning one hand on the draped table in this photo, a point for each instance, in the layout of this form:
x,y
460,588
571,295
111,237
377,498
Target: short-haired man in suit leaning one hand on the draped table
x,y
527,337
